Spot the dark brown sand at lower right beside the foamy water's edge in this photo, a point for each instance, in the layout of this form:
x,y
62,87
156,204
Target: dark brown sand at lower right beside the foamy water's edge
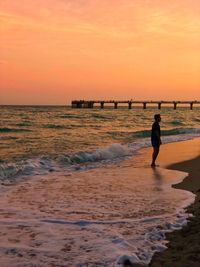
x,y
184,245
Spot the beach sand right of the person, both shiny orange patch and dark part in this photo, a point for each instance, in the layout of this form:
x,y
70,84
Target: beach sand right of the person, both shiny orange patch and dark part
x,y
184,245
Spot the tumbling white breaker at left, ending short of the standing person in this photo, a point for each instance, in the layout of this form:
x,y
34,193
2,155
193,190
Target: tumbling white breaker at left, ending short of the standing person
x,y
44,164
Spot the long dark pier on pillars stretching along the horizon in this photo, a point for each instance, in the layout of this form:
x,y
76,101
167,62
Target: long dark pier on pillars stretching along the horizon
x,y
130,103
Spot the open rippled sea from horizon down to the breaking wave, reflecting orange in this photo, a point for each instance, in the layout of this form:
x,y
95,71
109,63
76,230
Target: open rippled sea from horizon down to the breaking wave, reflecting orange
x,y
35,138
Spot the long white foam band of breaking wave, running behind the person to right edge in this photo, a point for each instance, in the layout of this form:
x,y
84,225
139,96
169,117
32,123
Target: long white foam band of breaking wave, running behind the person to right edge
x,y
73,162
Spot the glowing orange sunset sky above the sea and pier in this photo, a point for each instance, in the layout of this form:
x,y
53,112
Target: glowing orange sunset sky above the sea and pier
x,y
53,51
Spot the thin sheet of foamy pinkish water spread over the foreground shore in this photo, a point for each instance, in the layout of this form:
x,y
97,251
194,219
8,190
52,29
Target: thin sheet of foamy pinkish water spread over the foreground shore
x,y
91,218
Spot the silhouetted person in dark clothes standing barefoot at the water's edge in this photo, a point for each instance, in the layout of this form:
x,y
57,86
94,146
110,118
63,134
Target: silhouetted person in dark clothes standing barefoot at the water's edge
x,y
155,139
